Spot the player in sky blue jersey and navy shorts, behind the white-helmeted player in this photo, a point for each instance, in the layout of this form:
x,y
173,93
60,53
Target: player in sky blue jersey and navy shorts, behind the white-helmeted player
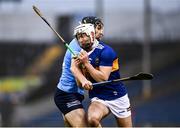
x,y
68,96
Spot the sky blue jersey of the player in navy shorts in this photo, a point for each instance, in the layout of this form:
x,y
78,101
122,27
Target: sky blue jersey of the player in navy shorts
x,y
67,81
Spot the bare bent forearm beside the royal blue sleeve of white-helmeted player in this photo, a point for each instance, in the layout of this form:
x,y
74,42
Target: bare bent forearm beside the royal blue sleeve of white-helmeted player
x,y
97,75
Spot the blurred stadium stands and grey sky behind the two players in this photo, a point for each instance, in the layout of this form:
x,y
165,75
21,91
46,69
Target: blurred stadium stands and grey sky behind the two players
x,y
144,33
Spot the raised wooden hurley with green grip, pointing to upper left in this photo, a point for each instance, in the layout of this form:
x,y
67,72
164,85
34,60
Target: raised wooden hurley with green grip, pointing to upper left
x,y
42,17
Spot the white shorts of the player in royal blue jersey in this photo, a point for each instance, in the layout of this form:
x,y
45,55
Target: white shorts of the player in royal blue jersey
x,y
119,107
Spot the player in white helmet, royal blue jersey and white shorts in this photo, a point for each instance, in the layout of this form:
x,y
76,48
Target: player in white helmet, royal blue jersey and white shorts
x,y
100,64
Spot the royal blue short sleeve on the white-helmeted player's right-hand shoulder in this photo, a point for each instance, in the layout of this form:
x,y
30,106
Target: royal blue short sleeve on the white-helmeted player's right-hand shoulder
x,y
107,57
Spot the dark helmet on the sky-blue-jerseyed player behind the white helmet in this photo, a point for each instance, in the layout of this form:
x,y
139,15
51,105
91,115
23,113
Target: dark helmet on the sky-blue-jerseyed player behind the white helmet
x,y
92,20
